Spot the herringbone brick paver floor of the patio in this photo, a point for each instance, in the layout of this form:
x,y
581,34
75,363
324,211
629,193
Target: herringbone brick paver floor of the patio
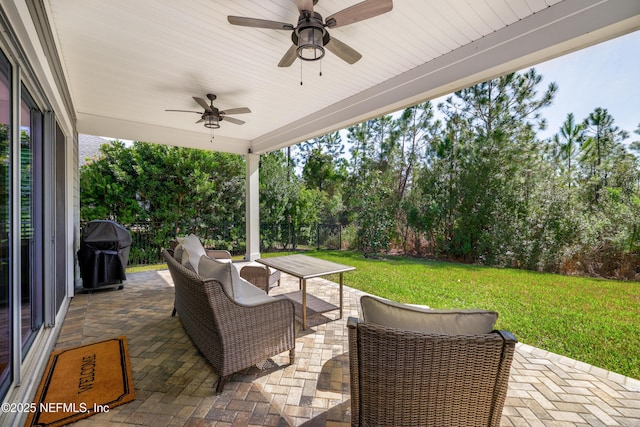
x,y
174,383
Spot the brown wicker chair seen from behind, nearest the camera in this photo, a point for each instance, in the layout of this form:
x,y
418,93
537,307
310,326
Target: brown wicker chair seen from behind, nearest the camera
x,y
407,378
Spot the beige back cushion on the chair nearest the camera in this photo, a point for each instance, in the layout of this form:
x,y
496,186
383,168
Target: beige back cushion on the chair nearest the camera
x,y
402,316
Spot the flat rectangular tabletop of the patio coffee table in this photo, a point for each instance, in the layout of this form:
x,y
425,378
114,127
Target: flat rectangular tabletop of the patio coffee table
x,y
303,266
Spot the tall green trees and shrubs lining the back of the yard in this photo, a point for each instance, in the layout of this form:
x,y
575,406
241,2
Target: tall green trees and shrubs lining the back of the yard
x,y
467,180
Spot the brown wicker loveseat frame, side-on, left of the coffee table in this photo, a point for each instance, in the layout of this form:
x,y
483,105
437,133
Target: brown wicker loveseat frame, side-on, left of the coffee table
x,y
231,336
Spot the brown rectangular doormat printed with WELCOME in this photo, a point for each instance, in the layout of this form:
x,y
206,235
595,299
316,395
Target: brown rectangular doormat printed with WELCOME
x,y
82,381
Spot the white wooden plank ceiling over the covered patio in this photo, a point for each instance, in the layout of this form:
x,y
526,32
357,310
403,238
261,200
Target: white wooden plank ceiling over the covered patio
x,y
126,61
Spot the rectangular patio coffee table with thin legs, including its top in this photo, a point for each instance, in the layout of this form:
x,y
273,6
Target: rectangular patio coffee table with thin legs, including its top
x,y
305,267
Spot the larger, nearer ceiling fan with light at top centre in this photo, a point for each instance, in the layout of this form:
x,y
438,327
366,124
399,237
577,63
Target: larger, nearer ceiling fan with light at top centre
x,y
310,35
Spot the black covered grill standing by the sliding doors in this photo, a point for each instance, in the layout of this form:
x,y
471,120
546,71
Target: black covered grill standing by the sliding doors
x,y
104,253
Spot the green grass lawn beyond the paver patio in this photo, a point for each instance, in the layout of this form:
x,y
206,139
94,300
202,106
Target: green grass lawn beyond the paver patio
x,y
595,321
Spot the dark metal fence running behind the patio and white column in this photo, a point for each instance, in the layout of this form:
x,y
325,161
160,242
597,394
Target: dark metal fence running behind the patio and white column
x,y
147,243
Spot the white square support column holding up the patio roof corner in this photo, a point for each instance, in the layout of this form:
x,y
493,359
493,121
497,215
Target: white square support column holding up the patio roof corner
x,y
252,214
